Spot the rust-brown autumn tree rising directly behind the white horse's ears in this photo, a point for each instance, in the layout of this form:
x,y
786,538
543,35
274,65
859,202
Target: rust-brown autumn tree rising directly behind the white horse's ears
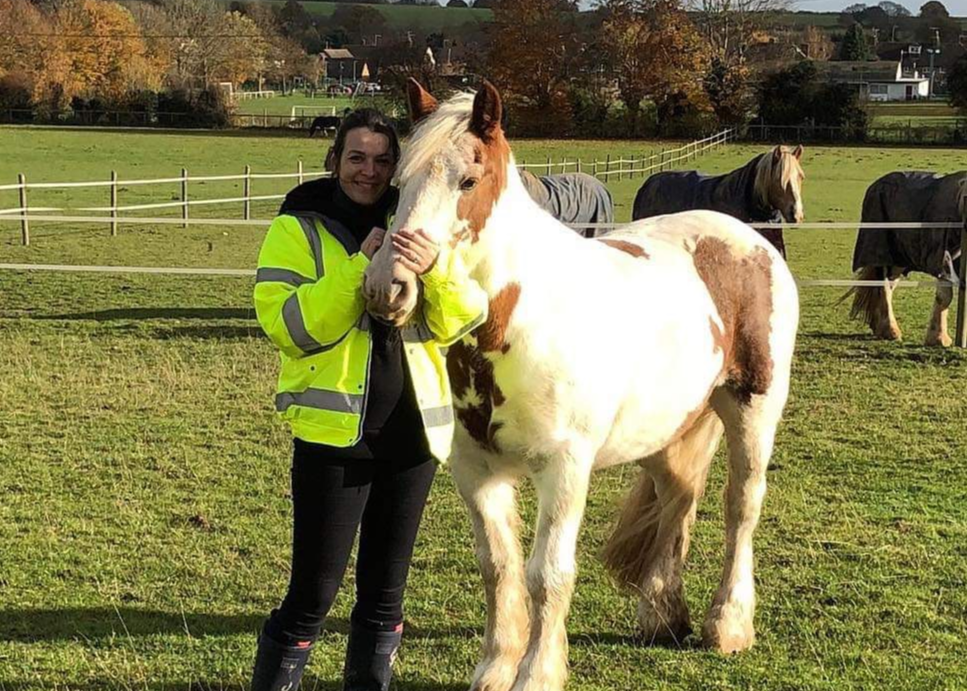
x,y
532,54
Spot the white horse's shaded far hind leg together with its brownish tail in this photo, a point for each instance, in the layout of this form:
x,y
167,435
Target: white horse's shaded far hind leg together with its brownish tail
x,y
650,542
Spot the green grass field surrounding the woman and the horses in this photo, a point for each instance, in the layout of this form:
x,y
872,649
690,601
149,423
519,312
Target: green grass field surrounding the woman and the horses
x,y
144,513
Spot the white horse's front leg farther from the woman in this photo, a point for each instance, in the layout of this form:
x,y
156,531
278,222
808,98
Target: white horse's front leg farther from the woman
x,y
562,493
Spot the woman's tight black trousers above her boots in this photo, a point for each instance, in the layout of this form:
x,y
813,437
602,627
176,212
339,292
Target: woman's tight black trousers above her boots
x,y
332,497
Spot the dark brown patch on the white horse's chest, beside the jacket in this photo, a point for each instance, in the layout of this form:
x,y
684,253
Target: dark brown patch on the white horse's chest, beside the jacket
x,y
468,367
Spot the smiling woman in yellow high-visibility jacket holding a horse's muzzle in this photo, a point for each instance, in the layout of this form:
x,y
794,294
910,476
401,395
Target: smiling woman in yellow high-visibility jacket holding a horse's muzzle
x,y
363,449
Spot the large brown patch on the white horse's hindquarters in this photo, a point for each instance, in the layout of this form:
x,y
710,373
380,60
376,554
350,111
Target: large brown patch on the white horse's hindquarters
x,y
741,288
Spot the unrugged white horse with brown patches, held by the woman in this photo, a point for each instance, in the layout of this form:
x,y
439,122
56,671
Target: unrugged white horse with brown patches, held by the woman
x,y
639,347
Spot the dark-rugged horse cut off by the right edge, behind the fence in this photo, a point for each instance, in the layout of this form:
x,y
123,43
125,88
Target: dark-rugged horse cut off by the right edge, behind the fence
x,y
887,253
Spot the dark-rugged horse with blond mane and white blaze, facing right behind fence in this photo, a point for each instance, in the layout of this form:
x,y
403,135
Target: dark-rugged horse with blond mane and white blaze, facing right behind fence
x,y
767,189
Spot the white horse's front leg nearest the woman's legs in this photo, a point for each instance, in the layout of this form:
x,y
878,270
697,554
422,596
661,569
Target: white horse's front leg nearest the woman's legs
x,y
492,504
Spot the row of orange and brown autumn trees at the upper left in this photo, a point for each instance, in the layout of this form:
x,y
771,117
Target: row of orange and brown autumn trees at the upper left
x,y
74,53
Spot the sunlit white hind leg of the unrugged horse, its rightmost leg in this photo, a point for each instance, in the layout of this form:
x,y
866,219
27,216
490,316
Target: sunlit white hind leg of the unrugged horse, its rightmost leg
x,y
750,427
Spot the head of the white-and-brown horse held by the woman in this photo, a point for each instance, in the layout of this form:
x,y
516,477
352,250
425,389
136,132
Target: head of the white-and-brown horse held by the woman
x,y
451,175
